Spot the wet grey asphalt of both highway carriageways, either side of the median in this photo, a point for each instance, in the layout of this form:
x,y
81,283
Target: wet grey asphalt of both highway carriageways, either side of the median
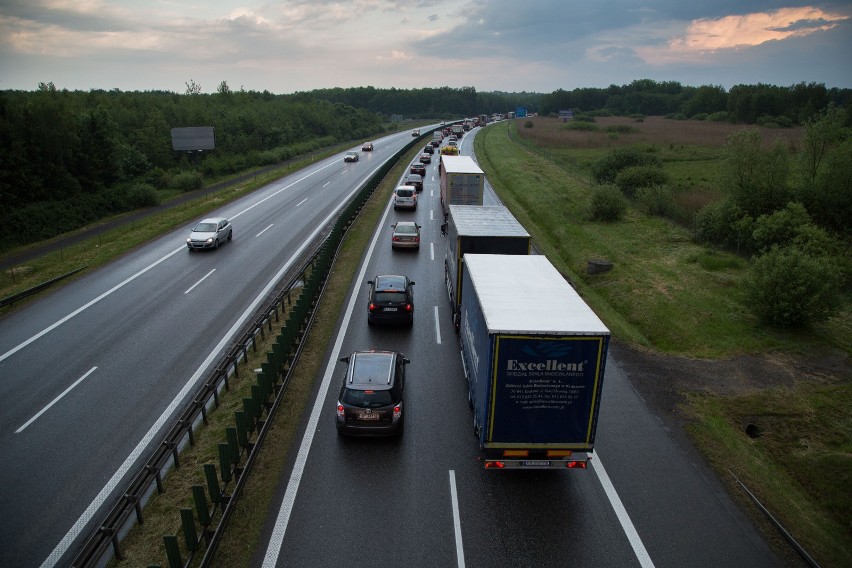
x,y
89,374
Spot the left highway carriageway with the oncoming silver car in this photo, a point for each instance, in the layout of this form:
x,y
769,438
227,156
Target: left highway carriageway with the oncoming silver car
x,y
90,374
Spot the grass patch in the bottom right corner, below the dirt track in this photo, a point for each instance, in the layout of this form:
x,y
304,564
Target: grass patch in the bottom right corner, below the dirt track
x,y
799,466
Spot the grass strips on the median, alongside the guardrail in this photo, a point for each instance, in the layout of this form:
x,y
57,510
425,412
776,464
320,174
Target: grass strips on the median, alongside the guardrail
x,y
241,541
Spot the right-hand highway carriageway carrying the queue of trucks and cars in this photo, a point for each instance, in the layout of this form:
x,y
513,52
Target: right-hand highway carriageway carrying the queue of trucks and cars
x,y
425,500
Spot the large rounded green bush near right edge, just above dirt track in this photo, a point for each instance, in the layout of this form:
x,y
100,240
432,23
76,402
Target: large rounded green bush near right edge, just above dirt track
x,y
786,287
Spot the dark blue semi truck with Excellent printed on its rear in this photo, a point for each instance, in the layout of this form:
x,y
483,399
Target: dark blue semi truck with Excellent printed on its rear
x,y
534,355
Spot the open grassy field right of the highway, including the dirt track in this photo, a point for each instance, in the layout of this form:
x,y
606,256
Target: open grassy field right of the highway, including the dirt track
x,y
683,333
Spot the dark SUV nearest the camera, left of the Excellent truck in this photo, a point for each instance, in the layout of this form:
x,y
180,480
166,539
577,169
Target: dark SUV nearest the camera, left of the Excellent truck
x,y
370,400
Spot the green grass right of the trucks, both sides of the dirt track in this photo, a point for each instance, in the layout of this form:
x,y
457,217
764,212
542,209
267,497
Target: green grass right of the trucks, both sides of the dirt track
x,y
670,294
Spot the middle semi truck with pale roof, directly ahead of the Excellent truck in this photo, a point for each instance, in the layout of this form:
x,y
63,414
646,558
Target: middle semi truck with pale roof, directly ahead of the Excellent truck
x,y
490,229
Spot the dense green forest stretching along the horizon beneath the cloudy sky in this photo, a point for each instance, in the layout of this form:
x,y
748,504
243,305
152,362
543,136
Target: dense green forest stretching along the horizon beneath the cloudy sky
x,y
72,157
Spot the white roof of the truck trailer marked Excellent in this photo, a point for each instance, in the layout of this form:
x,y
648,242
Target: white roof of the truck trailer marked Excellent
x,y
526,294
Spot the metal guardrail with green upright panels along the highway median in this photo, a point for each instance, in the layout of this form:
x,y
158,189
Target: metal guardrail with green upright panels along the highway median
x,y
313,274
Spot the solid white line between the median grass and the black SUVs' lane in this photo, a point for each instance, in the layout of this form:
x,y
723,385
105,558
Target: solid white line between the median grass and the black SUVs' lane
x,y
273,549
